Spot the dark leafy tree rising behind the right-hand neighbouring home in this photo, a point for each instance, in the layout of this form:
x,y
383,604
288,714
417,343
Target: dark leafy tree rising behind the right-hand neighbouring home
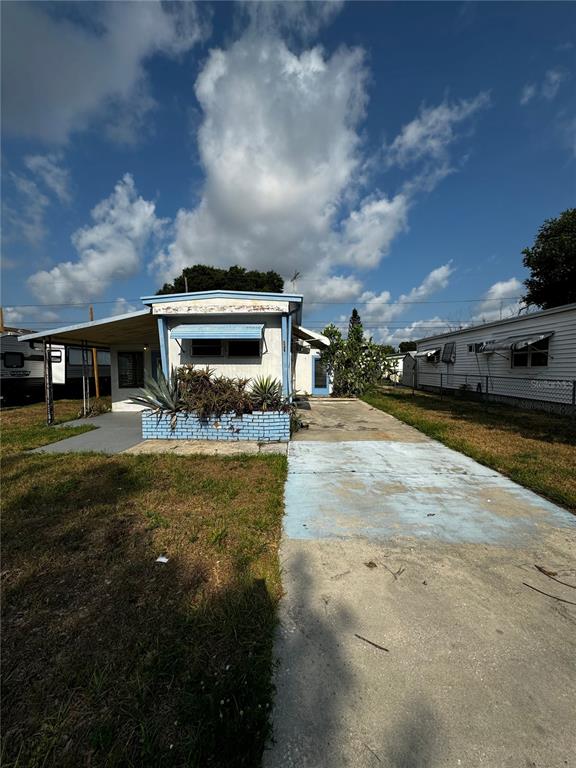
x,y
552,263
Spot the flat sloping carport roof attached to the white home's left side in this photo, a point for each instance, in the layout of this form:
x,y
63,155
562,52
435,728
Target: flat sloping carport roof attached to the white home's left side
x,y
133,328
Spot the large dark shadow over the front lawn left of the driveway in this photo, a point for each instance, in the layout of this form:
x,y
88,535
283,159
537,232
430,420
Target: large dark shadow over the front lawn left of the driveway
x,y
111,658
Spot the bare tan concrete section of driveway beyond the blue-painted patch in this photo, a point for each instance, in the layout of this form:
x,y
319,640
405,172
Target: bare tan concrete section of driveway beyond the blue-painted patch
x,y
336,420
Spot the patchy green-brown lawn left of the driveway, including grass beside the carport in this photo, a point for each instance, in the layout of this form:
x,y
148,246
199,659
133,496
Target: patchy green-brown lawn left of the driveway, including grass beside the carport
x,y
109,657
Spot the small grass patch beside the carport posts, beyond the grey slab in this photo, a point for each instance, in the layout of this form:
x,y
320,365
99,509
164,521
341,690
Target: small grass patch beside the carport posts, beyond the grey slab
x,y
25,428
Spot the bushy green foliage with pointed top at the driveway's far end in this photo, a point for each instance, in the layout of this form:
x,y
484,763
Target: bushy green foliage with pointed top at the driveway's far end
x,y
355,363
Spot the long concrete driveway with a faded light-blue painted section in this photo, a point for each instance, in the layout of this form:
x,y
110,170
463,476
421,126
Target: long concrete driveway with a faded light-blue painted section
x,y
408,638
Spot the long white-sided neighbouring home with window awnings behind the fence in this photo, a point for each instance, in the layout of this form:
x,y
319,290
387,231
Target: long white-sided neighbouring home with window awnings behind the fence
x,y
529,359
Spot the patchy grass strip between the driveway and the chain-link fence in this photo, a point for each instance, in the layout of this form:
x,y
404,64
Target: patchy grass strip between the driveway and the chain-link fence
x,y
537,450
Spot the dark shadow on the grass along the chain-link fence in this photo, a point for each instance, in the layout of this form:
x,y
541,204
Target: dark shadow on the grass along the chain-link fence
x,y
534,425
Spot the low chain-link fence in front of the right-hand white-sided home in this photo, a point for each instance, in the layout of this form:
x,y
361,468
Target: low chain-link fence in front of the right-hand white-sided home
x,y
522,390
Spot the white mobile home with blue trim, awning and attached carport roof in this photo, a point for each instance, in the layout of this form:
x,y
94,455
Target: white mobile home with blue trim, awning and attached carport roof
x,y
237,333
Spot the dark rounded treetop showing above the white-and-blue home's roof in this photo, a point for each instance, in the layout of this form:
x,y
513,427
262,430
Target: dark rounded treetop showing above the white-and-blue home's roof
x,y
201,277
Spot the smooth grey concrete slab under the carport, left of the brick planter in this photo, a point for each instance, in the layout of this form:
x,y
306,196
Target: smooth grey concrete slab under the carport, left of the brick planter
x,y
115,433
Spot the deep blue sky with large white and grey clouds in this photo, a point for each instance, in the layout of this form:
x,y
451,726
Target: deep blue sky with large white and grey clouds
x,y
398,156
